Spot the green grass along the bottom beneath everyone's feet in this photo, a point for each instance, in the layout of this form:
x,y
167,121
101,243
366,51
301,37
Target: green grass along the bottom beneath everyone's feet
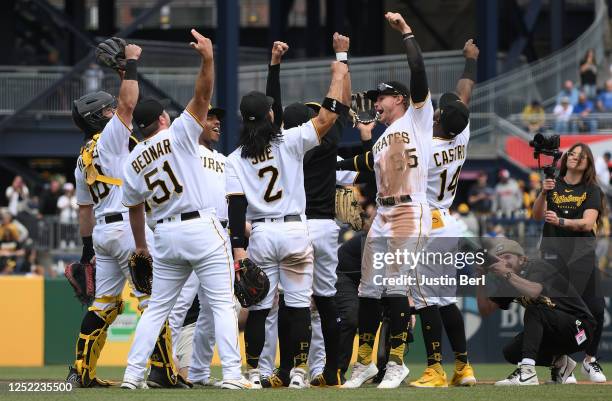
x,y
485,373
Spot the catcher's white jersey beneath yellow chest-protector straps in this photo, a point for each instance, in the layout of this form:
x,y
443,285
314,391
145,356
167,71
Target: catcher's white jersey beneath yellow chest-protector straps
x,y
108,158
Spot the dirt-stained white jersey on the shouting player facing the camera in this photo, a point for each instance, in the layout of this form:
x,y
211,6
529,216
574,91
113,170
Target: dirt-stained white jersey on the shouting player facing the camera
x,y
402,153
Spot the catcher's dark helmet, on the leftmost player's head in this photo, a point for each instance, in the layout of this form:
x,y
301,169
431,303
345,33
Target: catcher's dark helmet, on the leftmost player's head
x,y
87,112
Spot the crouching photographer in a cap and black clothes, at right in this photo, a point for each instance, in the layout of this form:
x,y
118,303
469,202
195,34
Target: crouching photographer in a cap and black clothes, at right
x,y
556,321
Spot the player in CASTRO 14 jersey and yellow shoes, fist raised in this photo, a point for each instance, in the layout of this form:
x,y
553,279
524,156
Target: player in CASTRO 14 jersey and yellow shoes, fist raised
x,y
436,305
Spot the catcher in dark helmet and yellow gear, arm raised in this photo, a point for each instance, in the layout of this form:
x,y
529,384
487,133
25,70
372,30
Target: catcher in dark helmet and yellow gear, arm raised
x,y
103,220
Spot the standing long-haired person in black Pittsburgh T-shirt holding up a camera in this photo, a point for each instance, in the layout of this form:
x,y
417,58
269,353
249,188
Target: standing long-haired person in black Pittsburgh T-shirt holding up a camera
x,y
571,205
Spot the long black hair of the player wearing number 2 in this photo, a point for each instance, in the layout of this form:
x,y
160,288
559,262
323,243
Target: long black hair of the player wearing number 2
x,y
256,136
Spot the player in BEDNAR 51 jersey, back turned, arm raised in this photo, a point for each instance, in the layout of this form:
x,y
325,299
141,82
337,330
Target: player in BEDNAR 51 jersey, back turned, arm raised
x,y
165,170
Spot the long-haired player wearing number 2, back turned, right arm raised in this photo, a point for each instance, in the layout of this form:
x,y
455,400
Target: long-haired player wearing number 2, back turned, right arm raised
x,y
265,180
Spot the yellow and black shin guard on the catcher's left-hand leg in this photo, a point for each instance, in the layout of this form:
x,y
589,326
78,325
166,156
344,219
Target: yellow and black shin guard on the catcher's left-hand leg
x,y
93,337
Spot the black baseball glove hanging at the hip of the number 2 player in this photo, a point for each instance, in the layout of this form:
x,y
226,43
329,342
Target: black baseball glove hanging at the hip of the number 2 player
x,y
253,284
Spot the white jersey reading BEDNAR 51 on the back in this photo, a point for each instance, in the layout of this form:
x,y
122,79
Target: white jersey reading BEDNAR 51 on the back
x,y
166,171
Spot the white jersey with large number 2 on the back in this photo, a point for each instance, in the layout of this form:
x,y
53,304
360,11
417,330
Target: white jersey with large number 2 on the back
x,y
274,183
